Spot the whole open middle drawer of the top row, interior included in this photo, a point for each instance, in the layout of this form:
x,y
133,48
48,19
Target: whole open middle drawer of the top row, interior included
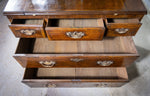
x,y
75,29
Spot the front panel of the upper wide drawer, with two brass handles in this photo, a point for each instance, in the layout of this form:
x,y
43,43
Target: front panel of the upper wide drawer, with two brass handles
x,y
32,61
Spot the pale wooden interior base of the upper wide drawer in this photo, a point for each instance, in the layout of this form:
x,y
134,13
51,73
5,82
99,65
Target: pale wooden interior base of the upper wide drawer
x,y
108,45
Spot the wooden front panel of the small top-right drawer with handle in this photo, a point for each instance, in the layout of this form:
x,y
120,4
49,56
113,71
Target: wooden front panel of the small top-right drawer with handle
x,y
122,29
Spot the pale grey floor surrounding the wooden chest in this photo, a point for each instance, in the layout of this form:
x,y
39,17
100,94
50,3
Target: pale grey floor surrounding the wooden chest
x,y
11,72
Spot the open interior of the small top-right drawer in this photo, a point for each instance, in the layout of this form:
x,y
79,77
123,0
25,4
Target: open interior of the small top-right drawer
x,y
120,20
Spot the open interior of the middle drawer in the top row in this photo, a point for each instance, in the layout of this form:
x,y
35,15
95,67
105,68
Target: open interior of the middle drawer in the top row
x,y
75,23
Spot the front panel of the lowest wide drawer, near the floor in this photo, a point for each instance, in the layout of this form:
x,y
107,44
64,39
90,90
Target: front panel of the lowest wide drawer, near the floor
x,y
73,84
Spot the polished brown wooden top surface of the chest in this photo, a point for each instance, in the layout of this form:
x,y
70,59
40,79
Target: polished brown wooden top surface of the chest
x,y
59,7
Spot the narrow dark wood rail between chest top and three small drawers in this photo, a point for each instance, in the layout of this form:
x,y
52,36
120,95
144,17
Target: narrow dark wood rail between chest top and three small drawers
x,y
73,16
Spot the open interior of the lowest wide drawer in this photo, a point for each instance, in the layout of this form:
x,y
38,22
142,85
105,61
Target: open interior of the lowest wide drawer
x,y
77,73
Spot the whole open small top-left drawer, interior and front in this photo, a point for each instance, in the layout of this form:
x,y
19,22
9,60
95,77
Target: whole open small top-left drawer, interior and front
x,y
28,28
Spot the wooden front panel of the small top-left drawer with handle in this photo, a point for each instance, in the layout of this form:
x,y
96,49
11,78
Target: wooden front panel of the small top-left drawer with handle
x,y
26,31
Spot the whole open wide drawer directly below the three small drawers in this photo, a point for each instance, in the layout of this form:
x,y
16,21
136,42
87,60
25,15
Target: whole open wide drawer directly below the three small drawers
x,y
111,52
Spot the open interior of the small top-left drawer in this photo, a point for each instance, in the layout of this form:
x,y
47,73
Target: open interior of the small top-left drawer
x,y
28,21
